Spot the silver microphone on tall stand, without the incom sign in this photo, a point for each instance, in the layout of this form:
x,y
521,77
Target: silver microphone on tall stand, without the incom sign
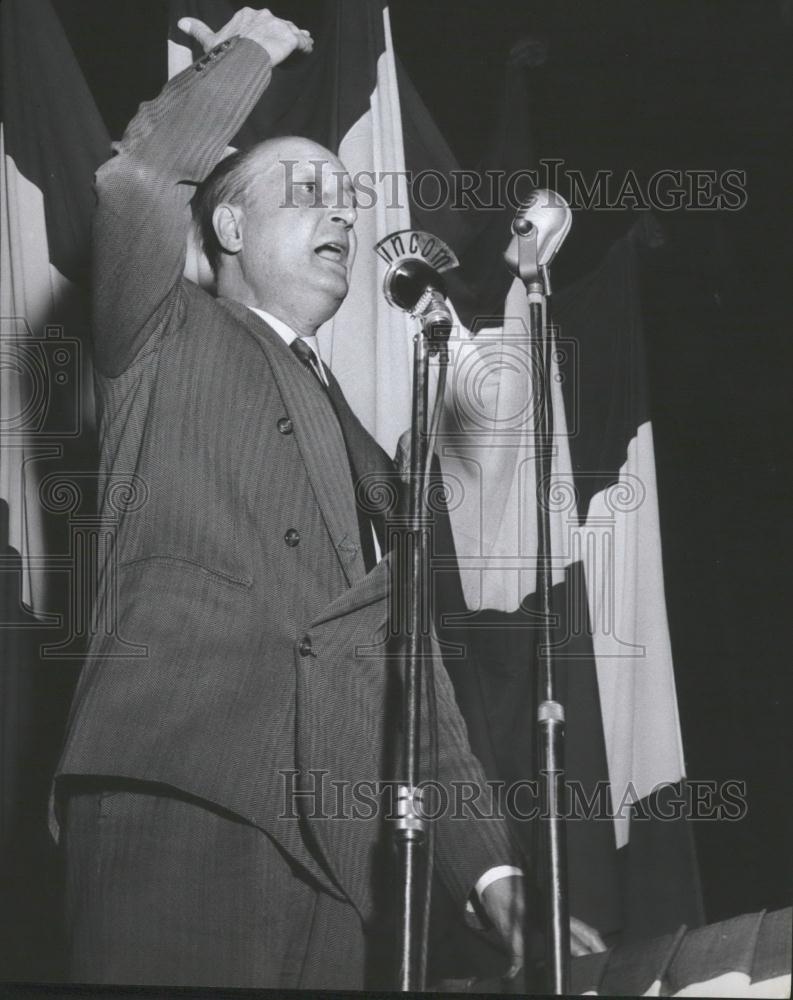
x,y
539,230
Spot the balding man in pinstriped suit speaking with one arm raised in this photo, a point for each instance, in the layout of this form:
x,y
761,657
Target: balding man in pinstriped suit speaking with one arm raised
x,y
243,613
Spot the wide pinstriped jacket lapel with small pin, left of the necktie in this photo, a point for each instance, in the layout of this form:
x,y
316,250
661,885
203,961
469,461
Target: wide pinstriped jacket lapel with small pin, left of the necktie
x,y
318,437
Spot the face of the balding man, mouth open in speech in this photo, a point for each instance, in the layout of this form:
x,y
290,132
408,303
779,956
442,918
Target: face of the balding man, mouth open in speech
x,y
298,243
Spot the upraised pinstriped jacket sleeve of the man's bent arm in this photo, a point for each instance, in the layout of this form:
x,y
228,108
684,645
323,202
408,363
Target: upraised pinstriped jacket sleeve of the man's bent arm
x,y
142,217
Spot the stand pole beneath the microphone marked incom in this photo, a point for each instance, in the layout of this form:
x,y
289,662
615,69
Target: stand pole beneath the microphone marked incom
x,y
412,591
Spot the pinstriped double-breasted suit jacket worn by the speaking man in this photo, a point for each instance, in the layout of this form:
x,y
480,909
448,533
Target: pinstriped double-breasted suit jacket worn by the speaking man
x,y
194,393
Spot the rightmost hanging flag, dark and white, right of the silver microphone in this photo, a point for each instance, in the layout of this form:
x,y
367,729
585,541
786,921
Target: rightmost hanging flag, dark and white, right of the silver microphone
x,y
614,533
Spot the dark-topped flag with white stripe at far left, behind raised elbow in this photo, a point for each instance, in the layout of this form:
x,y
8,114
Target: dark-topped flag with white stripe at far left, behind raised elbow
x,y
51,141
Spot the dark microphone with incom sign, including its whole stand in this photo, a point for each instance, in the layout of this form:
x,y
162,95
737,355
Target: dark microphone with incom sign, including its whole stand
x,y
414,286
